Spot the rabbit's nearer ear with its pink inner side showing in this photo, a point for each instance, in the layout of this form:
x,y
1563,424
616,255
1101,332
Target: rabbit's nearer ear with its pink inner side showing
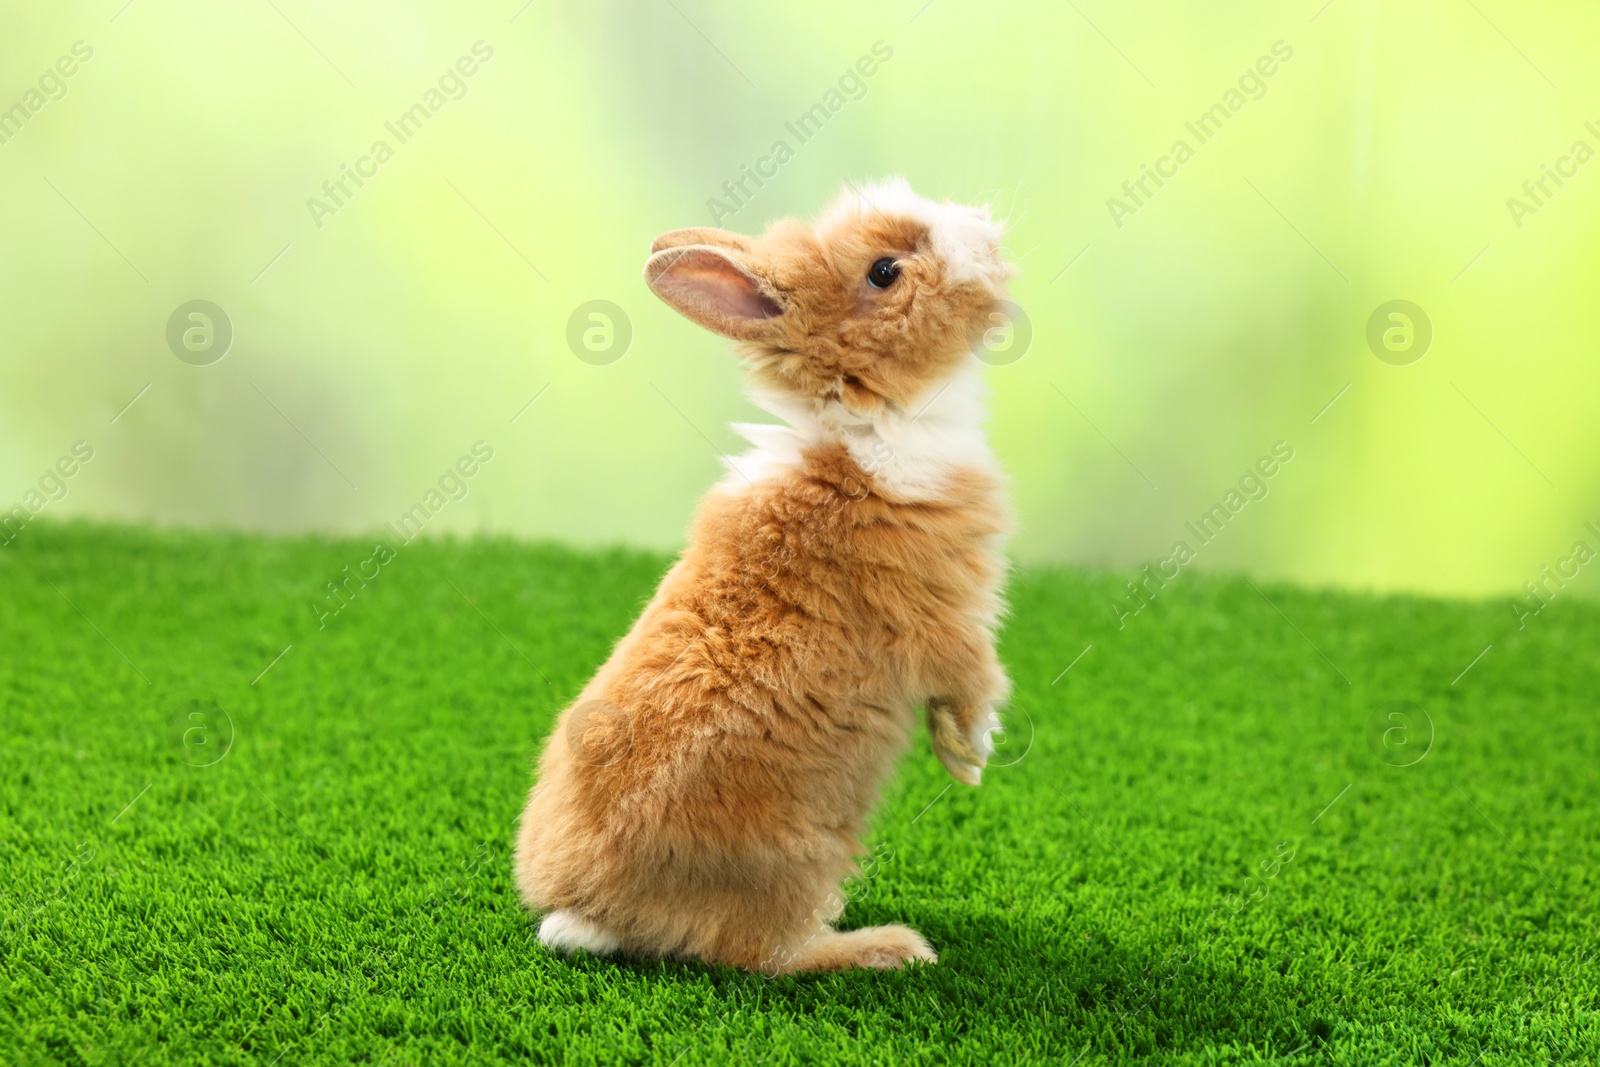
x,y
714,289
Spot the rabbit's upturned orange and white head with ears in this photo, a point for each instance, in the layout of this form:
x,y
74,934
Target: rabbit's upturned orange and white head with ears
x,y
871,306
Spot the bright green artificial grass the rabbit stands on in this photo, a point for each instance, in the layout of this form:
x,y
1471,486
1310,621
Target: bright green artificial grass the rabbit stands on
x,y
1204,855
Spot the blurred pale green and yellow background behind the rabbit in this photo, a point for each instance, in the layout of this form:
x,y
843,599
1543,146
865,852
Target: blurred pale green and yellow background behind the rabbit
x,y
1169,351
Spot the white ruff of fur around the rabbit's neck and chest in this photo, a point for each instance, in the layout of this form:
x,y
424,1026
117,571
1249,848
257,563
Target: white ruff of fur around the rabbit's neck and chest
x,y
910,455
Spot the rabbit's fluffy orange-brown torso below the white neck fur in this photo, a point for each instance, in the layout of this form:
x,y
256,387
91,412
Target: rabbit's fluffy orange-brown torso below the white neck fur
x,y
764,693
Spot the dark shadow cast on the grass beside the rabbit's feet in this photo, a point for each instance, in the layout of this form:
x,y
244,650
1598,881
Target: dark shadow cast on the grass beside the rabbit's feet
x,y
1004,978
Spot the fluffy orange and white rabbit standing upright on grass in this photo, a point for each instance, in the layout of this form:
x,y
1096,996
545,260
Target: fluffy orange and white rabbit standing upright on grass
x,y
705,796
